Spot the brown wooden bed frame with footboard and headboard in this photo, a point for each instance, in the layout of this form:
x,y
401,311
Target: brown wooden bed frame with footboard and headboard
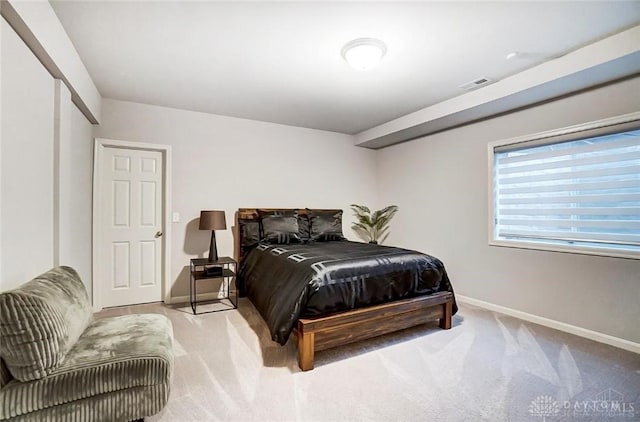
x,y
320,333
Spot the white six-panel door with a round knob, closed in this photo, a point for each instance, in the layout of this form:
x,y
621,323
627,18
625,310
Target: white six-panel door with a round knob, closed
x,y
131,225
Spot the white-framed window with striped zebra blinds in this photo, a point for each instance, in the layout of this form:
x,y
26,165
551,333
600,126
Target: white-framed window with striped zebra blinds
x,y
575,190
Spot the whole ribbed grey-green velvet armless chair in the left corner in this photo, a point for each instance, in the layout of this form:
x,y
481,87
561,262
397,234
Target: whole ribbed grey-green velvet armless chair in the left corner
x,y
59,363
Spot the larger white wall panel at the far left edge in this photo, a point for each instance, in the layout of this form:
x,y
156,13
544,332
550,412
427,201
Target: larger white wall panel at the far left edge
x,y
27,163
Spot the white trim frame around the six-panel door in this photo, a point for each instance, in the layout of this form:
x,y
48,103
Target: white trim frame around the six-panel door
x,y
99,146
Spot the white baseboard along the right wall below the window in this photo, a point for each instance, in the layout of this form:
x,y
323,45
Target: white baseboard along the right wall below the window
x,y
567,328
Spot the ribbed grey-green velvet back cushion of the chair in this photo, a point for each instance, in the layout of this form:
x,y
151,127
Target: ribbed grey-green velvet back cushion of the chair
x,y
41,320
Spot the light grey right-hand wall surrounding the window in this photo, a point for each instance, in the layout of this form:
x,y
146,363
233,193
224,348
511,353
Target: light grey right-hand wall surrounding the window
x,y
440,185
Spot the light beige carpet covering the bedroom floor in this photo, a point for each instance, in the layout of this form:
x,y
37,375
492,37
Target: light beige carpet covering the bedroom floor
x,y
487,367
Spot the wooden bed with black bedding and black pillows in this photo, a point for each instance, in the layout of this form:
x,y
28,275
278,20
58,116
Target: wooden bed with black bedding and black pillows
x,y
329,291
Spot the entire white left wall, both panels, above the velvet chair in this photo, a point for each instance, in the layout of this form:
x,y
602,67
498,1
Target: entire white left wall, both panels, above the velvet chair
x,y
46,167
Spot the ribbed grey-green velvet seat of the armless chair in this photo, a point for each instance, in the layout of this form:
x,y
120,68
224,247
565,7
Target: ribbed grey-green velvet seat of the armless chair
x,y
113,354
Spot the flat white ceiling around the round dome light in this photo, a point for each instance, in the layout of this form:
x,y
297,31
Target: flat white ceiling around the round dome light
x,y
280,61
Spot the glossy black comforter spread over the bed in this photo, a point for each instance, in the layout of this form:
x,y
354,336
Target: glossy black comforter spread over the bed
x,y
285,282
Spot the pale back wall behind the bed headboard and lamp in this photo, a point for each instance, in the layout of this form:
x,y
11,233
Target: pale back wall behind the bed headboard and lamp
x,y
228,163
